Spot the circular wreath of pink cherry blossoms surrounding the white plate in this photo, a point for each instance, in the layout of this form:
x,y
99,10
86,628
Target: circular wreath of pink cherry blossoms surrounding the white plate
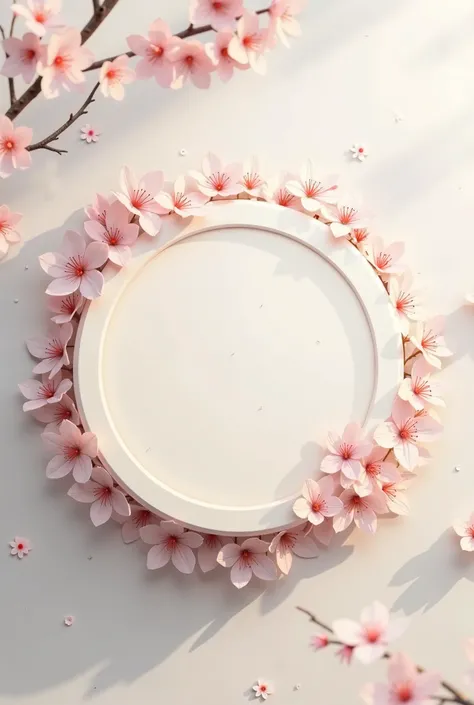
x,y
361,477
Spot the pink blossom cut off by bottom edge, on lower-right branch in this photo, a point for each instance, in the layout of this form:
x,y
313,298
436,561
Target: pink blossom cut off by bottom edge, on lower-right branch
x,y
405,685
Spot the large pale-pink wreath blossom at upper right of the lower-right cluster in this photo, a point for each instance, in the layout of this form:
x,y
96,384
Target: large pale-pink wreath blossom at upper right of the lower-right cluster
x,y
404,431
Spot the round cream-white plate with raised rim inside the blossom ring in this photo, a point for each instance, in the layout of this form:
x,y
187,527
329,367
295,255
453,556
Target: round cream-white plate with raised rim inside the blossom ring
x,y
214,365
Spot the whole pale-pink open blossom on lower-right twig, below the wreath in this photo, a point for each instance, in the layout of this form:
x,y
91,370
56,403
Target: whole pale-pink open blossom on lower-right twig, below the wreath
x,y
370,637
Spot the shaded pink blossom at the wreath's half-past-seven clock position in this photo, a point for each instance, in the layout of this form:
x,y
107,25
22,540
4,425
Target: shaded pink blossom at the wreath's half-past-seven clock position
x,y
101,494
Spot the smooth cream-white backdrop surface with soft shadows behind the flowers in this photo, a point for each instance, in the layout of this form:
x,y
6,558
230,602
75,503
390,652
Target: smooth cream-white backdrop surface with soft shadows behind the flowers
x,y
148,636
